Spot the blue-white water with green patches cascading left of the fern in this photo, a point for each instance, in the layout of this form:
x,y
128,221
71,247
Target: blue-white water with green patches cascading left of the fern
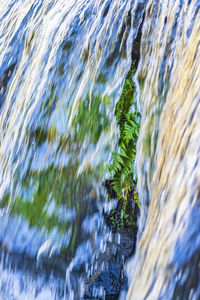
x,y
62,68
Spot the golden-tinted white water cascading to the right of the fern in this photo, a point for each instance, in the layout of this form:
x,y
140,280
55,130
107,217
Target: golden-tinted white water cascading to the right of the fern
x,y
167,260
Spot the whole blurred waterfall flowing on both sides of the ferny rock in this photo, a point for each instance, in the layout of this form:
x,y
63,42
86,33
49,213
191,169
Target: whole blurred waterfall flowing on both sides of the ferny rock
x,y
62,68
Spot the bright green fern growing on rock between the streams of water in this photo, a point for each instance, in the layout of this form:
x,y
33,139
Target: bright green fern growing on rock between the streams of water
x,y
129,124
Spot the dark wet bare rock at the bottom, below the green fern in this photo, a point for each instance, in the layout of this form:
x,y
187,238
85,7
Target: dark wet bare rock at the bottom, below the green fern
x,y
111,280
